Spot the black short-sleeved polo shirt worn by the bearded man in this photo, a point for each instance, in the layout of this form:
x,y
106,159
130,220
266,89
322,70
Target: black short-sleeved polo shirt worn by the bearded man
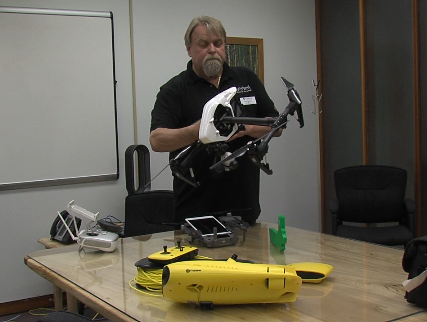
x,y
180,103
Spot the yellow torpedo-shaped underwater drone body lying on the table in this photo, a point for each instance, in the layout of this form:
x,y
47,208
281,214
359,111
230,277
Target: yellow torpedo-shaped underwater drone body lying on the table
x,y
229,282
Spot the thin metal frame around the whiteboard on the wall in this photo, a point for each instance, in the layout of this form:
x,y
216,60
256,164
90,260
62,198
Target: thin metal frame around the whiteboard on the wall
x,y
4,186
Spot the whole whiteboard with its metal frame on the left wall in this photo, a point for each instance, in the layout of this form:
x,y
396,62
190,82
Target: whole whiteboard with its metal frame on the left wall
x,y
58,120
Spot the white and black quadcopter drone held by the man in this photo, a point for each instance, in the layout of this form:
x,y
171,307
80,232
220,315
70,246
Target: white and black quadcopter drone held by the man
x,y
220,120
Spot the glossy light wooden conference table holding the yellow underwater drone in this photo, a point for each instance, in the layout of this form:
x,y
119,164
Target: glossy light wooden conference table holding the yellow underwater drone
x,y
364,286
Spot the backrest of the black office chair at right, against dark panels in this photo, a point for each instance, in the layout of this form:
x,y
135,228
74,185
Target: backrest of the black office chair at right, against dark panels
x,y
370,193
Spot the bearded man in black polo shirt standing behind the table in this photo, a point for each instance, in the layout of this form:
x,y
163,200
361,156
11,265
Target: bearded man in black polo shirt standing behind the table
x,y
175,123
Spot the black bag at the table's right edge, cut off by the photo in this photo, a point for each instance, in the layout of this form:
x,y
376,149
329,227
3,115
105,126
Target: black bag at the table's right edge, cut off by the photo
x,y
414,262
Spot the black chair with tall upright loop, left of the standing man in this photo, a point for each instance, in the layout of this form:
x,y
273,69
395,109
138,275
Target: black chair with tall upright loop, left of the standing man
x,y
146,211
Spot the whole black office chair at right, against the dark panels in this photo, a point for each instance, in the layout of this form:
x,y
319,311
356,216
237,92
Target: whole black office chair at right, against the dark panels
x,y
371,205
